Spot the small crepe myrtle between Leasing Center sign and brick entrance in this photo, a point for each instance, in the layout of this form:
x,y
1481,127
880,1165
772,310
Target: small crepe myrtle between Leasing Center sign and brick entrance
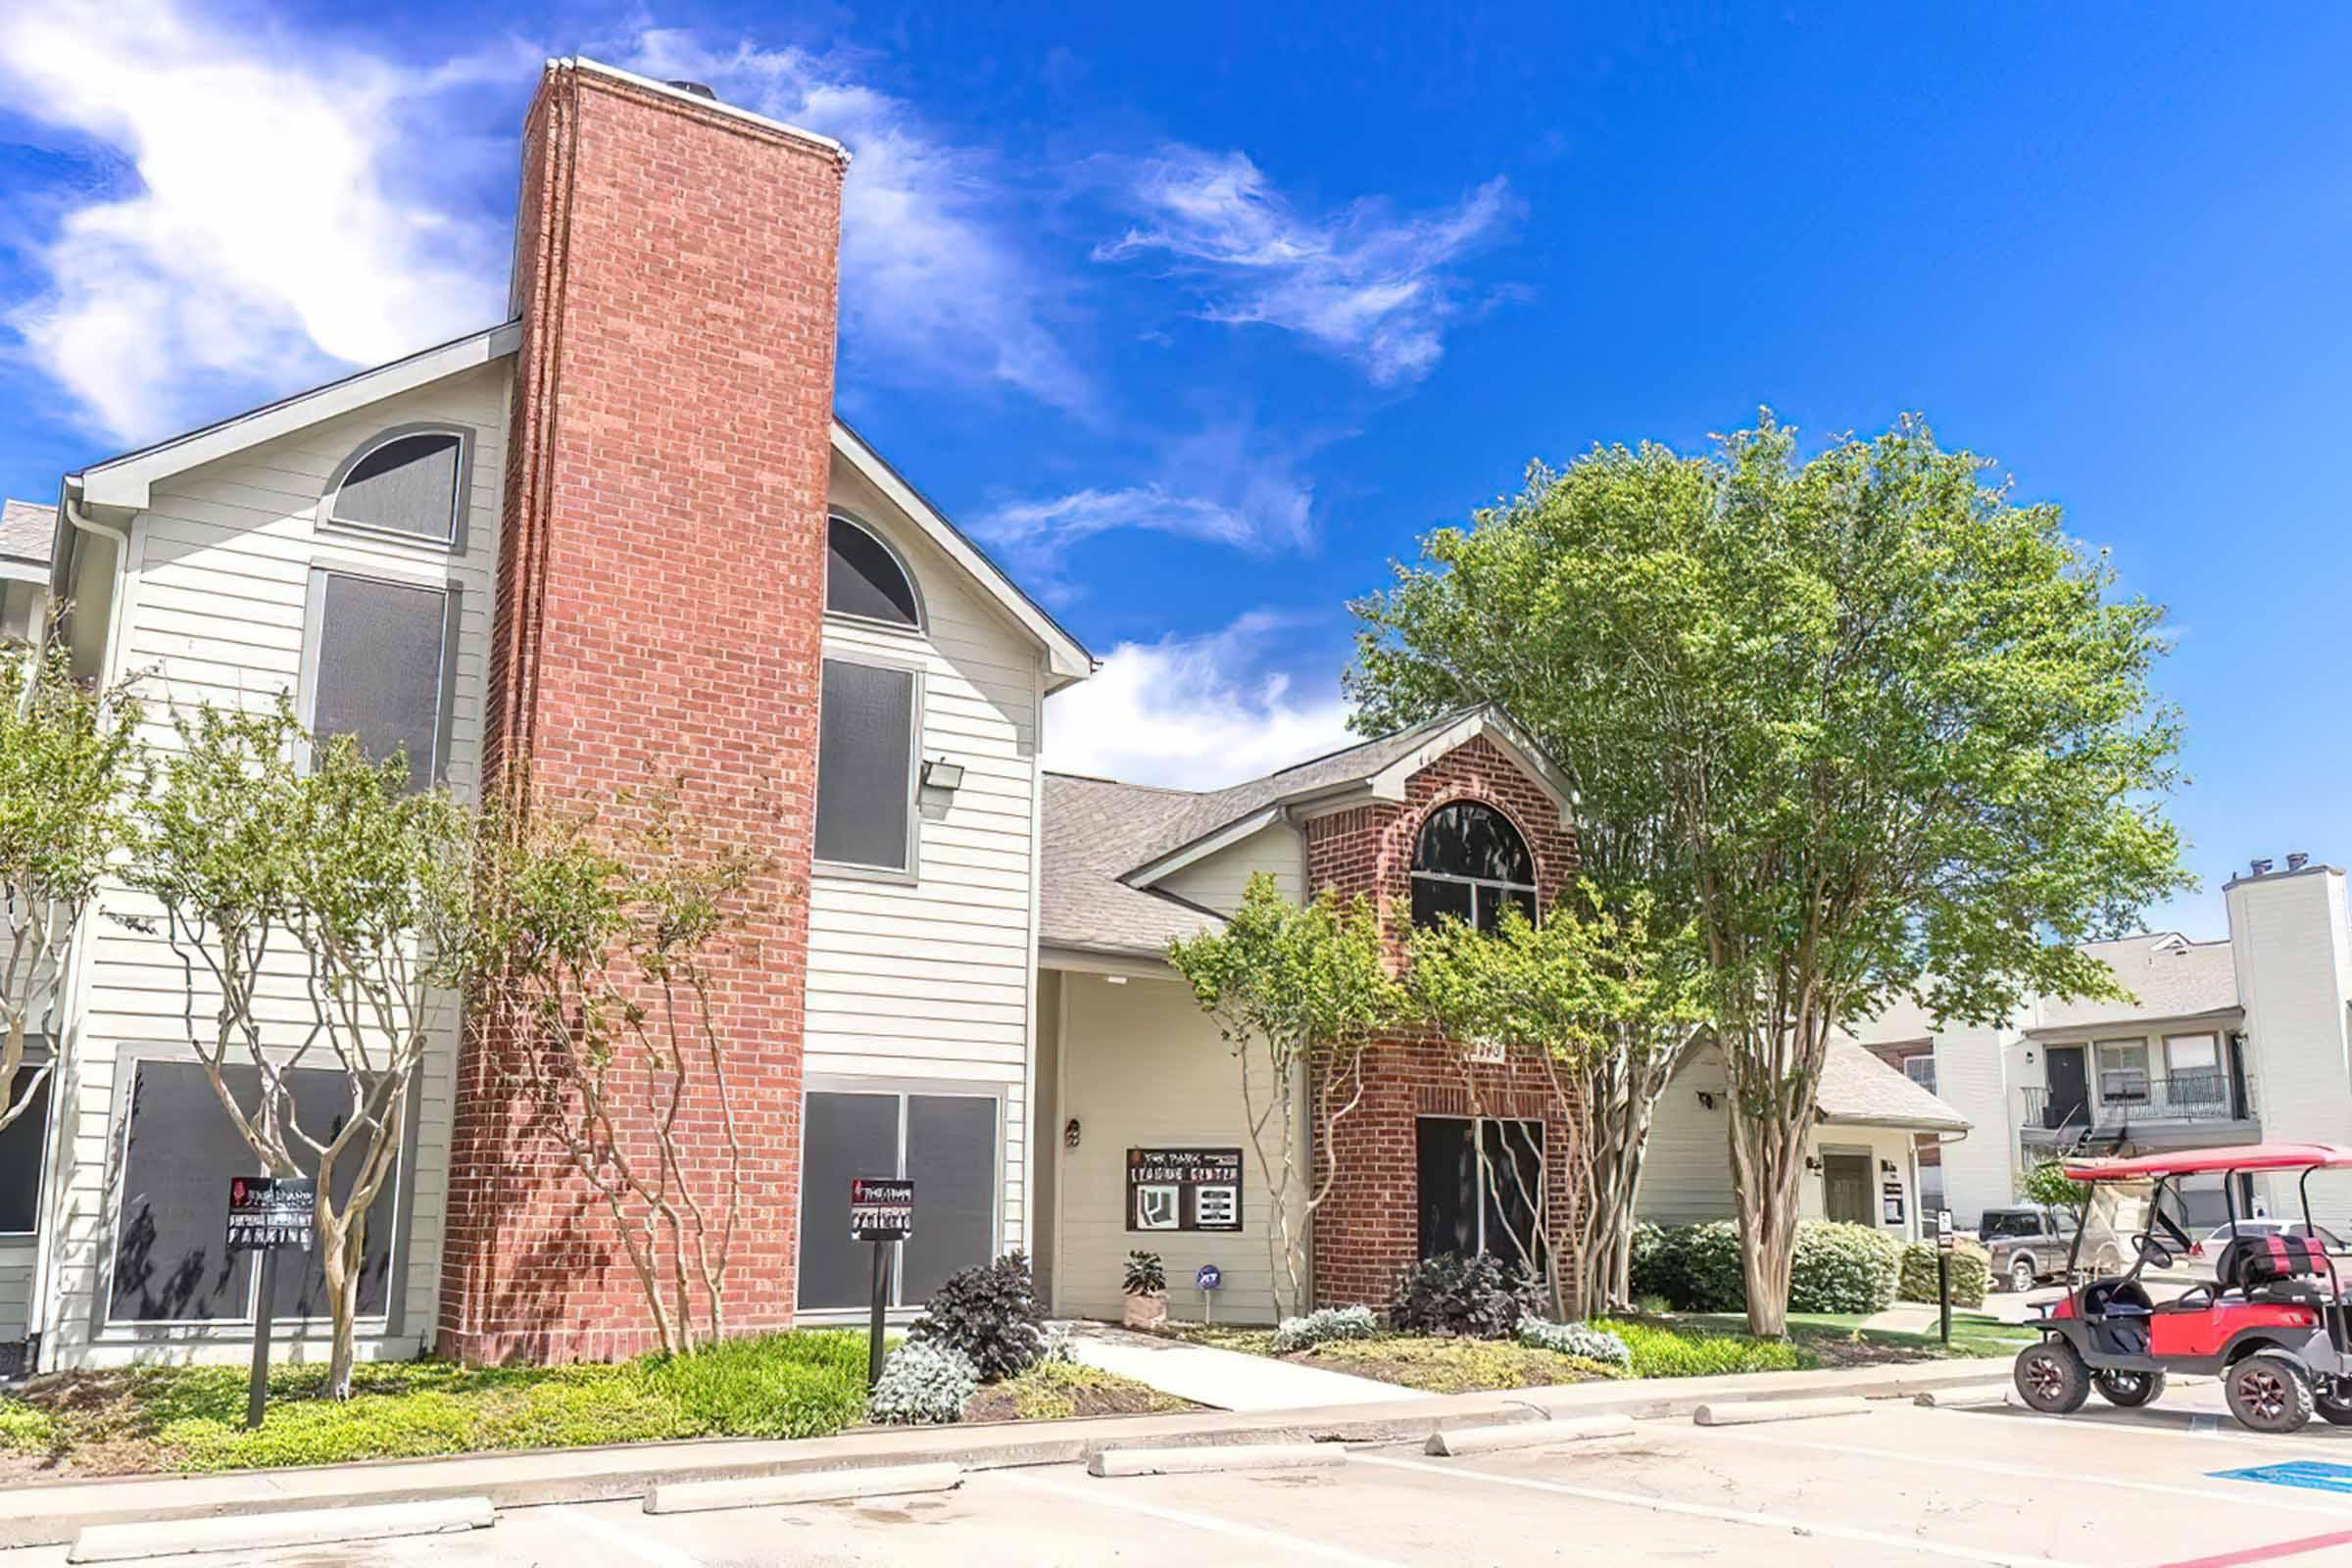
x,y
1297,993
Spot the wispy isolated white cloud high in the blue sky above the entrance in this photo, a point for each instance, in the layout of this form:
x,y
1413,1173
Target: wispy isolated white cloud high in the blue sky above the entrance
x,y
1368,286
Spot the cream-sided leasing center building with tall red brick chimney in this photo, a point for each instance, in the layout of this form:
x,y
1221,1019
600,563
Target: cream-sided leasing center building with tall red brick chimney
x,y
622,537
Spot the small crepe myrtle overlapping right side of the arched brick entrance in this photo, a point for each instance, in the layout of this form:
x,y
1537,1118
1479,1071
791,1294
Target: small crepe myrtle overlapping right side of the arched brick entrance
x,y
1598,1005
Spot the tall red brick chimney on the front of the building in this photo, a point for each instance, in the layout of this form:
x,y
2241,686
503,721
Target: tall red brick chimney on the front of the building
x,y
660,615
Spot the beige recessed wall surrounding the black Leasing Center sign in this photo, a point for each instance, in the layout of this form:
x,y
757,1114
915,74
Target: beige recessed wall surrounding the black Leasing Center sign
x,y
1144,1068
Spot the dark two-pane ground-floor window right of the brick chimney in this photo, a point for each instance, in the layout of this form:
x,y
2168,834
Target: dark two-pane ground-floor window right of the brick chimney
x,y
947,1144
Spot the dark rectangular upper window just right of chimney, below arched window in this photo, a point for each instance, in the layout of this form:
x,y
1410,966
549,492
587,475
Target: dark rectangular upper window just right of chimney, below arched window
x,y
864,765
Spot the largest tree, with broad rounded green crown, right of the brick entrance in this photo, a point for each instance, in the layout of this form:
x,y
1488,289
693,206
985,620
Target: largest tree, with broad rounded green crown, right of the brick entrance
x,y
1895,732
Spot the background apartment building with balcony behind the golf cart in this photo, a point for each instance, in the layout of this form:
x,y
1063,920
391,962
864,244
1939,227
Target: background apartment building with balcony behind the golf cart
x,y
2240,1040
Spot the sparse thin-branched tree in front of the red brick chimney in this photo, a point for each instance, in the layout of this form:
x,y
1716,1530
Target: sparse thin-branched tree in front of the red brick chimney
x,y
592,942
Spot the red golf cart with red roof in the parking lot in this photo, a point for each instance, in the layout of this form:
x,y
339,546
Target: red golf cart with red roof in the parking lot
x,y
2271,1325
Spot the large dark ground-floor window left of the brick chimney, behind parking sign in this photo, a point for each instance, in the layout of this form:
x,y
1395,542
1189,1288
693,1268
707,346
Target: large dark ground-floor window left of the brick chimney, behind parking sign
x,y
180,1153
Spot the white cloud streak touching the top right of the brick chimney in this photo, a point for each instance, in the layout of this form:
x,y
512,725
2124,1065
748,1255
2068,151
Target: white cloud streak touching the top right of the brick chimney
x,y
935,281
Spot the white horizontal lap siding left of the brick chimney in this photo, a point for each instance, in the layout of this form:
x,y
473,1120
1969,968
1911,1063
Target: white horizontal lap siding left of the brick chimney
x,y
215,612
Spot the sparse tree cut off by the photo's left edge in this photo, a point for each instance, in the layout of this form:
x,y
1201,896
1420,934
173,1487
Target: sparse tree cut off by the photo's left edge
x,y
69,770
